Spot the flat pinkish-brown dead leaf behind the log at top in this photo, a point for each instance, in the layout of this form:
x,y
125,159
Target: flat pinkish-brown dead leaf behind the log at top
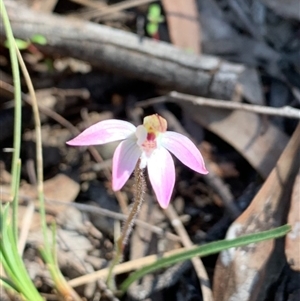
x,y
183,22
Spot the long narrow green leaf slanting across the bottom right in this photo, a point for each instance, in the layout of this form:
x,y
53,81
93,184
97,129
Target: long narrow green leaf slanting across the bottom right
x,y
205,250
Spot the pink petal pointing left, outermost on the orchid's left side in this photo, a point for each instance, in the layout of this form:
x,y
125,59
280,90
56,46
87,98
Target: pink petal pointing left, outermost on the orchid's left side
x,y
104,132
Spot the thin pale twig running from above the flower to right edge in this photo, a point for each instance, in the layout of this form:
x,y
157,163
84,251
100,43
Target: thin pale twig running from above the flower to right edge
x,y
287,111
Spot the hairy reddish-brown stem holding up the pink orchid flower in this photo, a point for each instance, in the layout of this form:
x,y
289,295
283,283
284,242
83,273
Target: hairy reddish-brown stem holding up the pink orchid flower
x,y
139,191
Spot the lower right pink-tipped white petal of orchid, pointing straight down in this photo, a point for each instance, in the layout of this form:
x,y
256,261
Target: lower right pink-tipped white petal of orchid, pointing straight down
x,y
161,173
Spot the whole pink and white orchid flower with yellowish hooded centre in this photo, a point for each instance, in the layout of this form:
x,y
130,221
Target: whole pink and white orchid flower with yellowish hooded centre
x,y
150,143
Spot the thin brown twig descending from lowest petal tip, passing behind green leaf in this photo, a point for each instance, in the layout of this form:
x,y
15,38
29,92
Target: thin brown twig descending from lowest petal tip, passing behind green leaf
x,y
187,243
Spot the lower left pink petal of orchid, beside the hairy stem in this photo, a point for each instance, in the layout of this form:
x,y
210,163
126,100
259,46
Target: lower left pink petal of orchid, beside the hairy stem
x,y
124,161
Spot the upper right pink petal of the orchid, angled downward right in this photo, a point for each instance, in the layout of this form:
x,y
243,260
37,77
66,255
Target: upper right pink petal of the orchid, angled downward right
x,y
185,150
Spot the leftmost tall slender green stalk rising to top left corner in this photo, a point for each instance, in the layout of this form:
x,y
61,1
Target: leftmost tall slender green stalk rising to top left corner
x,y
17,117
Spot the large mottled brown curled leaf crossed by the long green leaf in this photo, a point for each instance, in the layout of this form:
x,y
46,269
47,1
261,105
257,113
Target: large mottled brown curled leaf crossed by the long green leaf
x,y
245,273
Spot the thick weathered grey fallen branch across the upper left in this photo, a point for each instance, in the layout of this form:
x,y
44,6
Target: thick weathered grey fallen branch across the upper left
x,y
126,54
